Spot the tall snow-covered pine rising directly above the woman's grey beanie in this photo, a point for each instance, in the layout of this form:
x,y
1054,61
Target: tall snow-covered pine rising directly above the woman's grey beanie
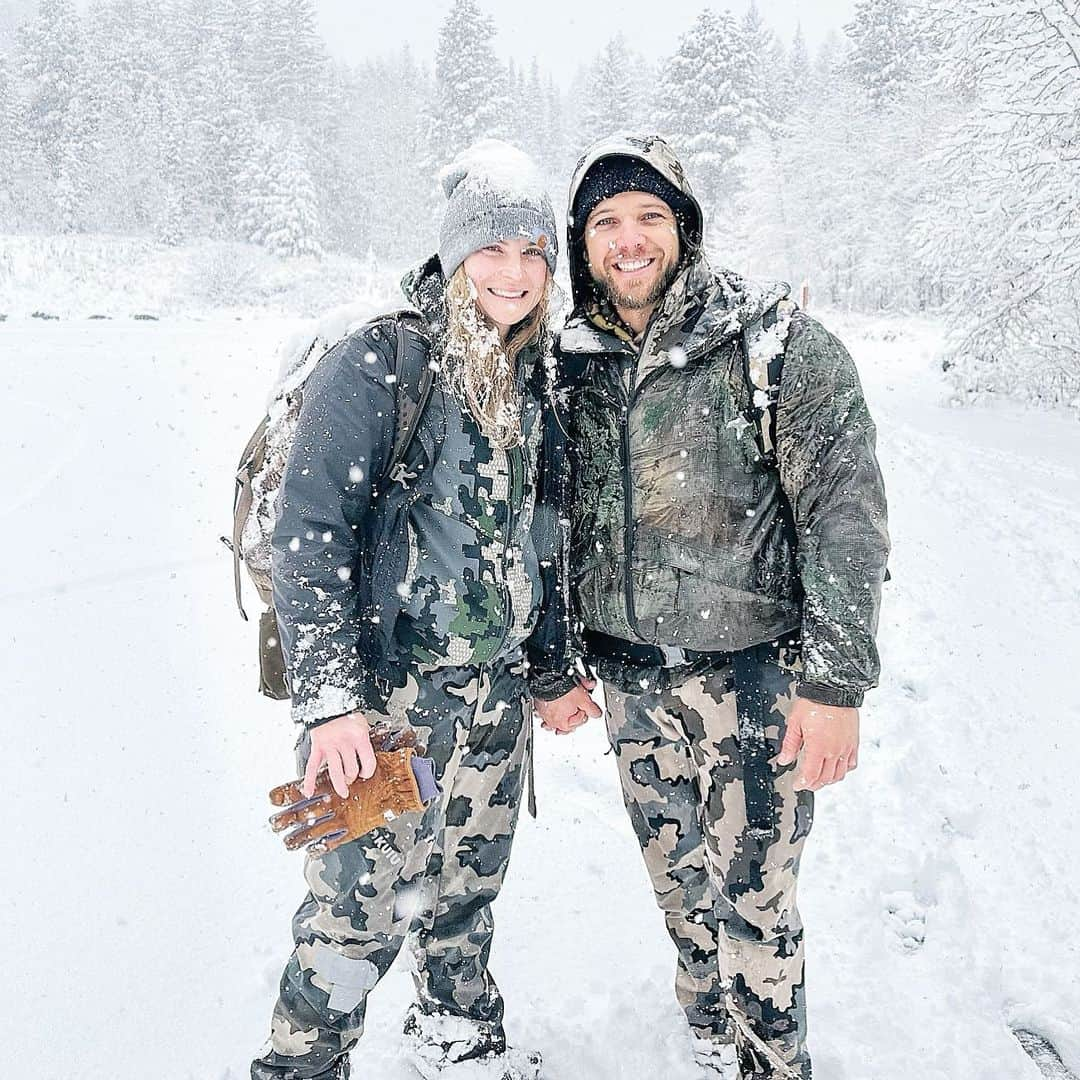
x,y
470,88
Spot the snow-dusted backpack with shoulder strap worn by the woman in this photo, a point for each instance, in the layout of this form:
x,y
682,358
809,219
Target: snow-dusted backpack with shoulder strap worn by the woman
x,y
263,465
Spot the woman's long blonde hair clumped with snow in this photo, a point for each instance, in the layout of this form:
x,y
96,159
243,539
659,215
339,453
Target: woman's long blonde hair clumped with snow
x,y
479,369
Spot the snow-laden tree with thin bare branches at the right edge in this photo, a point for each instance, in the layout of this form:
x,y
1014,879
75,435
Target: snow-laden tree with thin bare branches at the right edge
x,y
1005,233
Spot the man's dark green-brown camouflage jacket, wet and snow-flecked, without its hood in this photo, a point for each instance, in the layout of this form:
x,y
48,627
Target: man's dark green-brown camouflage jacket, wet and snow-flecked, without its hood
x,y
684,533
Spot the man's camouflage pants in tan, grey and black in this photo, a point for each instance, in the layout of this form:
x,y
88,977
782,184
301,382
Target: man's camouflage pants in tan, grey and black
x,y
728,896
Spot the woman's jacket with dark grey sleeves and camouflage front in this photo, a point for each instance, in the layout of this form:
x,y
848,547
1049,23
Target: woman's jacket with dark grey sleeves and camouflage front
x,y
437,564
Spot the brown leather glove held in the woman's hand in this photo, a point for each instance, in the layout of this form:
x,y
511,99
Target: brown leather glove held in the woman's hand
x,y
328,821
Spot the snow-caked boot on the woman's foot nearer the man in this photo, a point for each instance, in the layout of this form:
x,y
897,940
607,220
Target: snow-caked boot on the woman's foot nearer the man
x,y
441,1047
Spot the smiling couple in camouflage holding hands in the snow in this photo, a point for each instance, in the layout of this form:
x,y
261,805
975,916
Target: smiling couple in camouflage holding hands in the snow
x,y
680,495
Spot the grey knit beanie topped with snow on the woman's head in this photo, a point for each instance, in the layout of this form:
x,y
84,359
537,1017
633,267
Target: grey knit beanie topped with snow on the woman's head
x,y
494,193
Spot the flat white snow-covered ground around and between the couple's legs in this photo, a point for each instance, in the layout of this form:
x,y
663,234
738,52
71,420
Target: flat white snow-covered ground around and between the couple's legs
x,y
148,903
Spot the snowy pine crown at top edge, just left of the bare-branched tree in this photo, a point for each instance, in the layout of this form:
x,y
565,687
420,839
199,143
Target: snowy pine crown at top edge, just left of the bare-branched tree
x,y
886,48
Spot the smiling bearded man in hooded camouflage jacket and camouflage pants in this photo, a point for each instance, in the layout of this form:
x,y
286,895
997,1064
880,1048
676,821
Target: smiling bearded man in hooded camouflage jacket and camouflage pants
x,y
730,544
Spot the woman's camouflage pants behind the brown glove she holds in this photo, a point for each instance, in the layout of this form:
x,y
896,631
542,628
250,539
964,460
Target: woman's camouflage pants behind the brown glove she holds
x,y
430,877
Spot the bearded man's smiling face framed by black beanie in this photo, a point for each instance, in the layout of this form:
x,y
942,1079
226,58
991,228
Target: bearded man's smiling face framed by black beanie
x,y
633,250
